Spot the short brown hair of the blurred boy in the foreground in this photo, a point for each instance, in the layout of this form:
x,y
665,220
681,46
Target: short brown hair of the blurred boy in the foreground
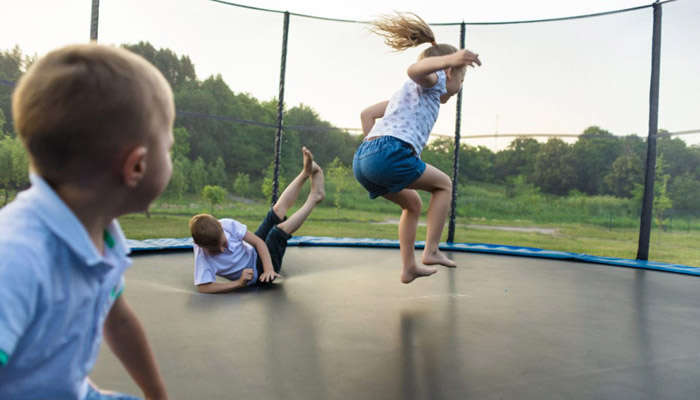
x,y
81,108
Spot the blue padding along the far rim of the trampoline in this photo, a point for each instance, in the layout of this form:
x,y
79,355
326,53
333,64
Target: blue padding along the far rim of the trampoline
x,y
186,243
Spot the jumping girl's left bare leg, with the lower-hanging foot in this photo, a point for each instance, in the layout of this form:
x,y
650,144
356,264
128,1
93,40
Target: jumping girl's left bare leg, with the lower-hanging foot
x,y
411,207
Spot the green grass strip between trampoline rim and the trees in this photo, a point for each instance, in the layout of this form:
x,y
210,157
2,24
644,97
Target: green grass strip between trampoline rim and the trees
x,y
169,220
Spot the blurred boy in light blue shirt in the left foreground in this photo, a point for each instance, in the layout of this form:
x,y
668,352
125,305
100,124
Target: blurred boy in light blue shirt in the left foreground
x,y
96,122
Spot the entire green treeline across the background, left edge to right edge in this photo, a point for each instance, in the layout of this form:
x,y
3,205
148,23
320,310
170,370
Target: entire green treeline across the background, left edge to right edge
x,y
211,150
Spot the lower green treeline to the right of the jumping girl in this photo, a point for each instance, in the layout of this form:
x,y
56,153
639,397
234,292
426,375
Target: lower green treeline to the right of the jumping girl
x,y
598,163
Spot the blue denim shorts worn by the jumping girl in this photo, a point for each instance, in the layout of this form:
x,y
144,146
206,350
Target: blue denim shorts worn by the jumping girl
x,y
386,165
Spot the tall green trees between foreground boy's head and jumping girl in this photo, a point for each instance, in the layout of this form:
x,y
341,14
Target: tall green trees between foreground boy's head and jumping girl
x,y
206,142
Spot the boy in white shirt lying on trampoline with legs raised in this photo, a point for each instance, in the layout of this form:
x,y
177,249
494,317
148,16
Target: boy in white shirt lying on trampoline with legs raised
x,y
226,248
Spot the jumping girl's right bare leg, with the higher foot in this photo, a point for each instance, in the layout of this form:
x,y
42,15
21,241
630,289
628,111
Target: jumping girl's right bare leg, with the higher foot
x,y
440,186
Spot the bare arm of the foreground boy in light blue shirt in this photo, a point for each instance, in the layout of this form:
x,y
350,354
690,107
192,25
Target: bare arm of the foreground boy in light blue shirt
x,y
127,339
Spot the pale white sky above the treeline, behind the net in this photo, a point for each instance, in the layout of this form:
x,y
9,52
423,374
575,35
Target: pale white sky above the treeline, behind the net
x,y
551,78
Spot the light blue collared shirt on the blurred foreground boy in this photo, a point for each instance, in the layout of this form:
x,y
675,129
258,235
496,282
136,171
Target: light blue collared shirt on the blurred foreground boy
x,y
56,290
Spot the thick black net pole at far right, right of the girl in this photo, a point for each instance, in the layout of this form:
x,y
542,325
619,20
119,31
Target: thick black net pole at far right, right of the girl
x,y
650,171
